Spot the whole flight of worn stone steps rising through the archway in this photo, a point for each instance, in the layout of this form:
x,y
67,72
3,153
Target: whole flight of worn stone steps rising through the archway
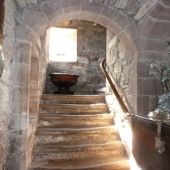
x,y
77,132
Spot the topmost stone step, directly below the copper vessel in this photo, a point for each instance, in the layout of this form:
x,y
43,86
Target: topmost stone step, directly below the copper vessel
x,y
72,99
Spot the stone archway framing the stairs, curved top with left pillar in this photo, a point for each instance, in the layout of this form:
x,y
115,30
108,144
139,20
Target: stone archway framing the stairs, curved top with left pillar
x,y
31,23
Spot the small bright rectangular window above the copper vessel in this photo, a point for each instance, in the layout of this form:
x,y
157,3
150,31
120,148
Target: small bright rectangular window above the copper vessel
x,y
62,44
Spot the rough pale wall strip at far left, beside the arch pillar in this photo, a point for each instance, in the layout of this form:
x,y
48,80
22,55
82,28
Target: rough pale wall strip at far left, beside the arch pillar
x,y
5,95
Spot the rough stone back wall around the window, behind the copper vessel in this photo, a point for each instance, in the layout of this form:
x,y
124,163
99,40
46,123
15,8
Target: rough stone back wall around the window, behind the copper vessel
x,y
91,49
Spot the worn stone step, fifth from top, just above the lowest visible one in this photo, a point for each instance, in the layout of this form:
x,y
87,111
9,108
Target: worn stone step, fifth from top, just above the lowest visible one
x,y
57,155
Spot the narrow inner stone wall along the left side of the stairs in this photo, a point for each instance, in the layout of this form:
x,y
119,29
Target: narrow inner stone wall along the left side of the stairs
x,y
37,81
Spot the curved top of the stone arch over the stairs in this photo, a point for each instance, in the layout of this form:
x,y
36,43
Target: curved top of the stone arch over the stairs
x,y
35,20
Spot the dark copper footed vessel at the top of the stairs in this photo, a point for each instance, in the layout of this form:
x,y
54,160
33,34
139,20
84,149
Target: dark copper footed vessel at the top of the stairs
x,y
64,81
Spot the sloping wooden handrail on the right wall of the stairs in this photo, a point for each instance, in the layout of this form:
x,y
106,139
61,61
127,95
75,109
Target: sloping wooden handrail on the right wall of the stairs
x,y
116,89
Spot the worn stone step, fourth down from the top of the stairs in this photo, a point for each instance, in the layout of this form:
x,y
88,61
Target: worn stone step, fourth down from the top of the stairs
x,y
71,137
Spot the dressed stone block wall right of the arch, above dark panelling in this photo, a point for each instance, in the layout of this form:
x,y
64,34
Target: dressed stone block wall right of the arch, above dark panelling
x,y
152,46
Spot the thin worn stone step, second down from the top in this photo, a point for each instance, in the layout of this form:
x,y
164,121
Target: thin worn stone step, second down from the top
x,y
73,108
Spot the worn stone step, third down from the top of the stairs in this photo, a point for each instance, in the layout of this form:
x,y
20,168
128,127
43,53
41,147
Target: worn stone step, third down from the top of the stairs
x,y
60,120
